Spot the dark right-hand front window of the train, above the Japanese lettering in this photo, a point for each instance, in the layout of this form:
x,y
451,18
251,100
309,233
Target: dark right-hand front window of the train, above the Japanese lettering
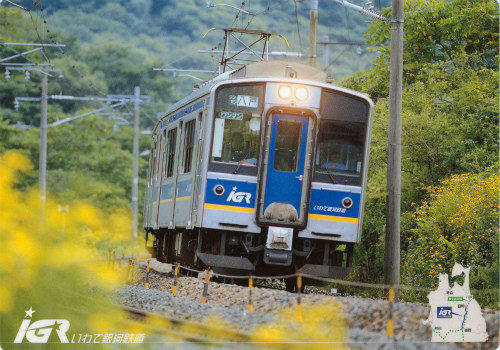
x,y
341,140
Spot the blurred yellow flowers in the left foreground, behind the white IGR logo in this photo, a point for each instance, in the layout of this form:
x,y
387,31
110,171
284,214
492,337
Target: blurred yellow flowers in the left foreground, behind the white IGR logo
x,y
48,272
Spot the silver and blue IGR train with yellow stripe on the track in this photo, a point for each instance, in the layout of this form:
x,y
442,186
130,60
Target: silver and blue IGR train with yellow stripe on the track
x,y
261,170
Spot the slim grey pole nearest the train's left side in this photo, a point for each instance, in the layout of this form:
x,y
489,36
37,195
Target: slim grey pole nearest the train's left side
x,y
135,164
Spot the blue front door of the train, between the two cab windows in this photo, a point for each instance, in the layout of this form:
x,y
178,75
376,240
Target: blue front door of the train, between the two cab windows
x,y
284,192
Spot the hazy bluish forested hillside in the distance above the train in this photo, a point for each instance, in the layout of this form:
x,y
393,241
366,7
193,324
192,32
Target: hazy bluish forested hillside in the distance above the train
x,y
173,30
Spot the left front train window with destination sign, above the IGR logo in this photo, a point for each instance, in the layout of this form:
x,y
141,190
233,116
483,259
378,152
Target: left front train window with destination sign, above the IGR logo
x,y
238,113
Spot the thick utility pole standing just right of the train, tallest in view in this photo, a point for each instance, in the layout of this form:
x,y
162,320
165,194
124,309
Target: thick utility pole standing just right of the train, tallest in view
x,y
393,211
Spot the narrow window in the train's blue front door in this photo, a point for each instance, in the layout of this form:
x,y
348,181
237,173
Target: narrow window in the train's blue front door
x,y
286,151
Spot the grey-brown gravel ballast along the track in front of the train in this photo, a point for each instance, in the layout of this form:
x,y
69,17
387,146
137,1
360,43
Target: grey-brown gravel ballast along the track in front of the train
x,y
366,318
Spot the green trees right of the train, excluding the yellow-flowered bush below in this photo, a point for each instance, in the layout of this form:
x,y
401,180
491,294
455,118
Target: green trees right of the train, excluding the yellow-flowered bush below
x,y
450,109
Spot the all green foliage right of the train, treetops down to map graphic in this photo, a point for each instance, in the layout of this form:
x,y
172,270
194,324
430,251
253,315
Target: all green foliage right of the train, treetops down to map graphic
x,y
450,127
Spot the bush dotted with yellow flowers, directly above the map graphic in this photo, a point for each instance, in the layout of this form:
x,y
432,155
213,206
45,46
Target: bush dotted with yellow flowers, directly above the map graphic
x,y
459,223
